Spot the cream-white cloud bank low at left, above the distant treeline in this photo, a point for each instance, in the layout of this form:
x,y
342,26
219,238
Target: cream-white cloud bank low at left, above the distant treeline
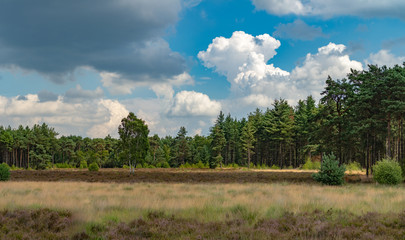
x,y
96,118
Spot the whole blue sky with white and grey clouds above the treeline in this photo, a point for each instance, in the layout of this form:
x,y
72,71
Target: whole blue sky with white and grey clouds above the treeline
x,y
80,66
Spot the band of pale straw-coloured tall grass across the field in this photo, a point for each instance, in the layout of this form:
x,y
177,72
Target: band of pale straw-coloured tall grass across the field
x,y
102,202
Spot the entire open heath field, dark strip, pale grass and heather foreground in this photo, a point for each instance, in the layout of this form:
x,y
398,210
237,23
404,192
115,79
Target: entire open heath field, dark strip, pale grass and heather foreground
x,y
196,204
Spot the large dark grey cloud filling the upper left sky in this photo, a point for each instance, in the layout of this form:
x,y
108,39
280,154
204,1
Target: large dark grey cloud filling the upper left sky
x,y
53,37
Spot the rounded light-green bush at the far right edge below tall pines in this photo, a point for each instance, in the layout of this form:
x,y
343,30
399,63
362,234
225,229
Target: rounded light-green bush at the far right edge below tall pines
x,y
387,172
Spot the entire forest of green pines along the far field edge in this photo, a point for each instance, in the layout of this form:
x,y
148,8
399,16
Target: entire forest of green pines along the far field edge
x,y
358,118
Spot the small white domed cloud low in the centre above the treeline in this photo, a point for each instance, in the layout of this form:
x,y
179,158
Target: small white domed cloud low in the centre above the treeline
x,y
190,103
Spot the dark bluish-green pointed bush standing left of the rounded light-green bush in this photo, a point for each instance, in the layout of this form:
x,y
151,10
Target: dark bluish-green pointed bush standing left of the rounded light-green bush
x,y
330,173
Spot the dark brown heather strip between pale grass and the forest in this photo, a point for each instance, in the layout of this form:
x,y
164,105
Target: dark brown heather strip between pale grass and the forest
x,y
173,176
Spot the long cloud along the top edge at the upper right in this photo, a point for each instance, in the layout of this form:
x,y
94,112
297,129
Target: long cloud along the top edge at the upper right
x,y
329,8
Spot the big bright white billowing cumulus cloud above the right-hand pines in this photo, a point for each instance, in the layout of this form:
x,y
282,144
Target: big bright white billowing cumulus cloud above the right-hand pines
x,y
255,82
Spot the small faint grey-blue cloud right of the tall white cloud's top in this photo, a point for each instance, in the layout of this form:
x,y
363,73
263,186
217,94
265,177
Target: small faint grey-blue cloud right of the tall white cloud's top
x,y
298,30
